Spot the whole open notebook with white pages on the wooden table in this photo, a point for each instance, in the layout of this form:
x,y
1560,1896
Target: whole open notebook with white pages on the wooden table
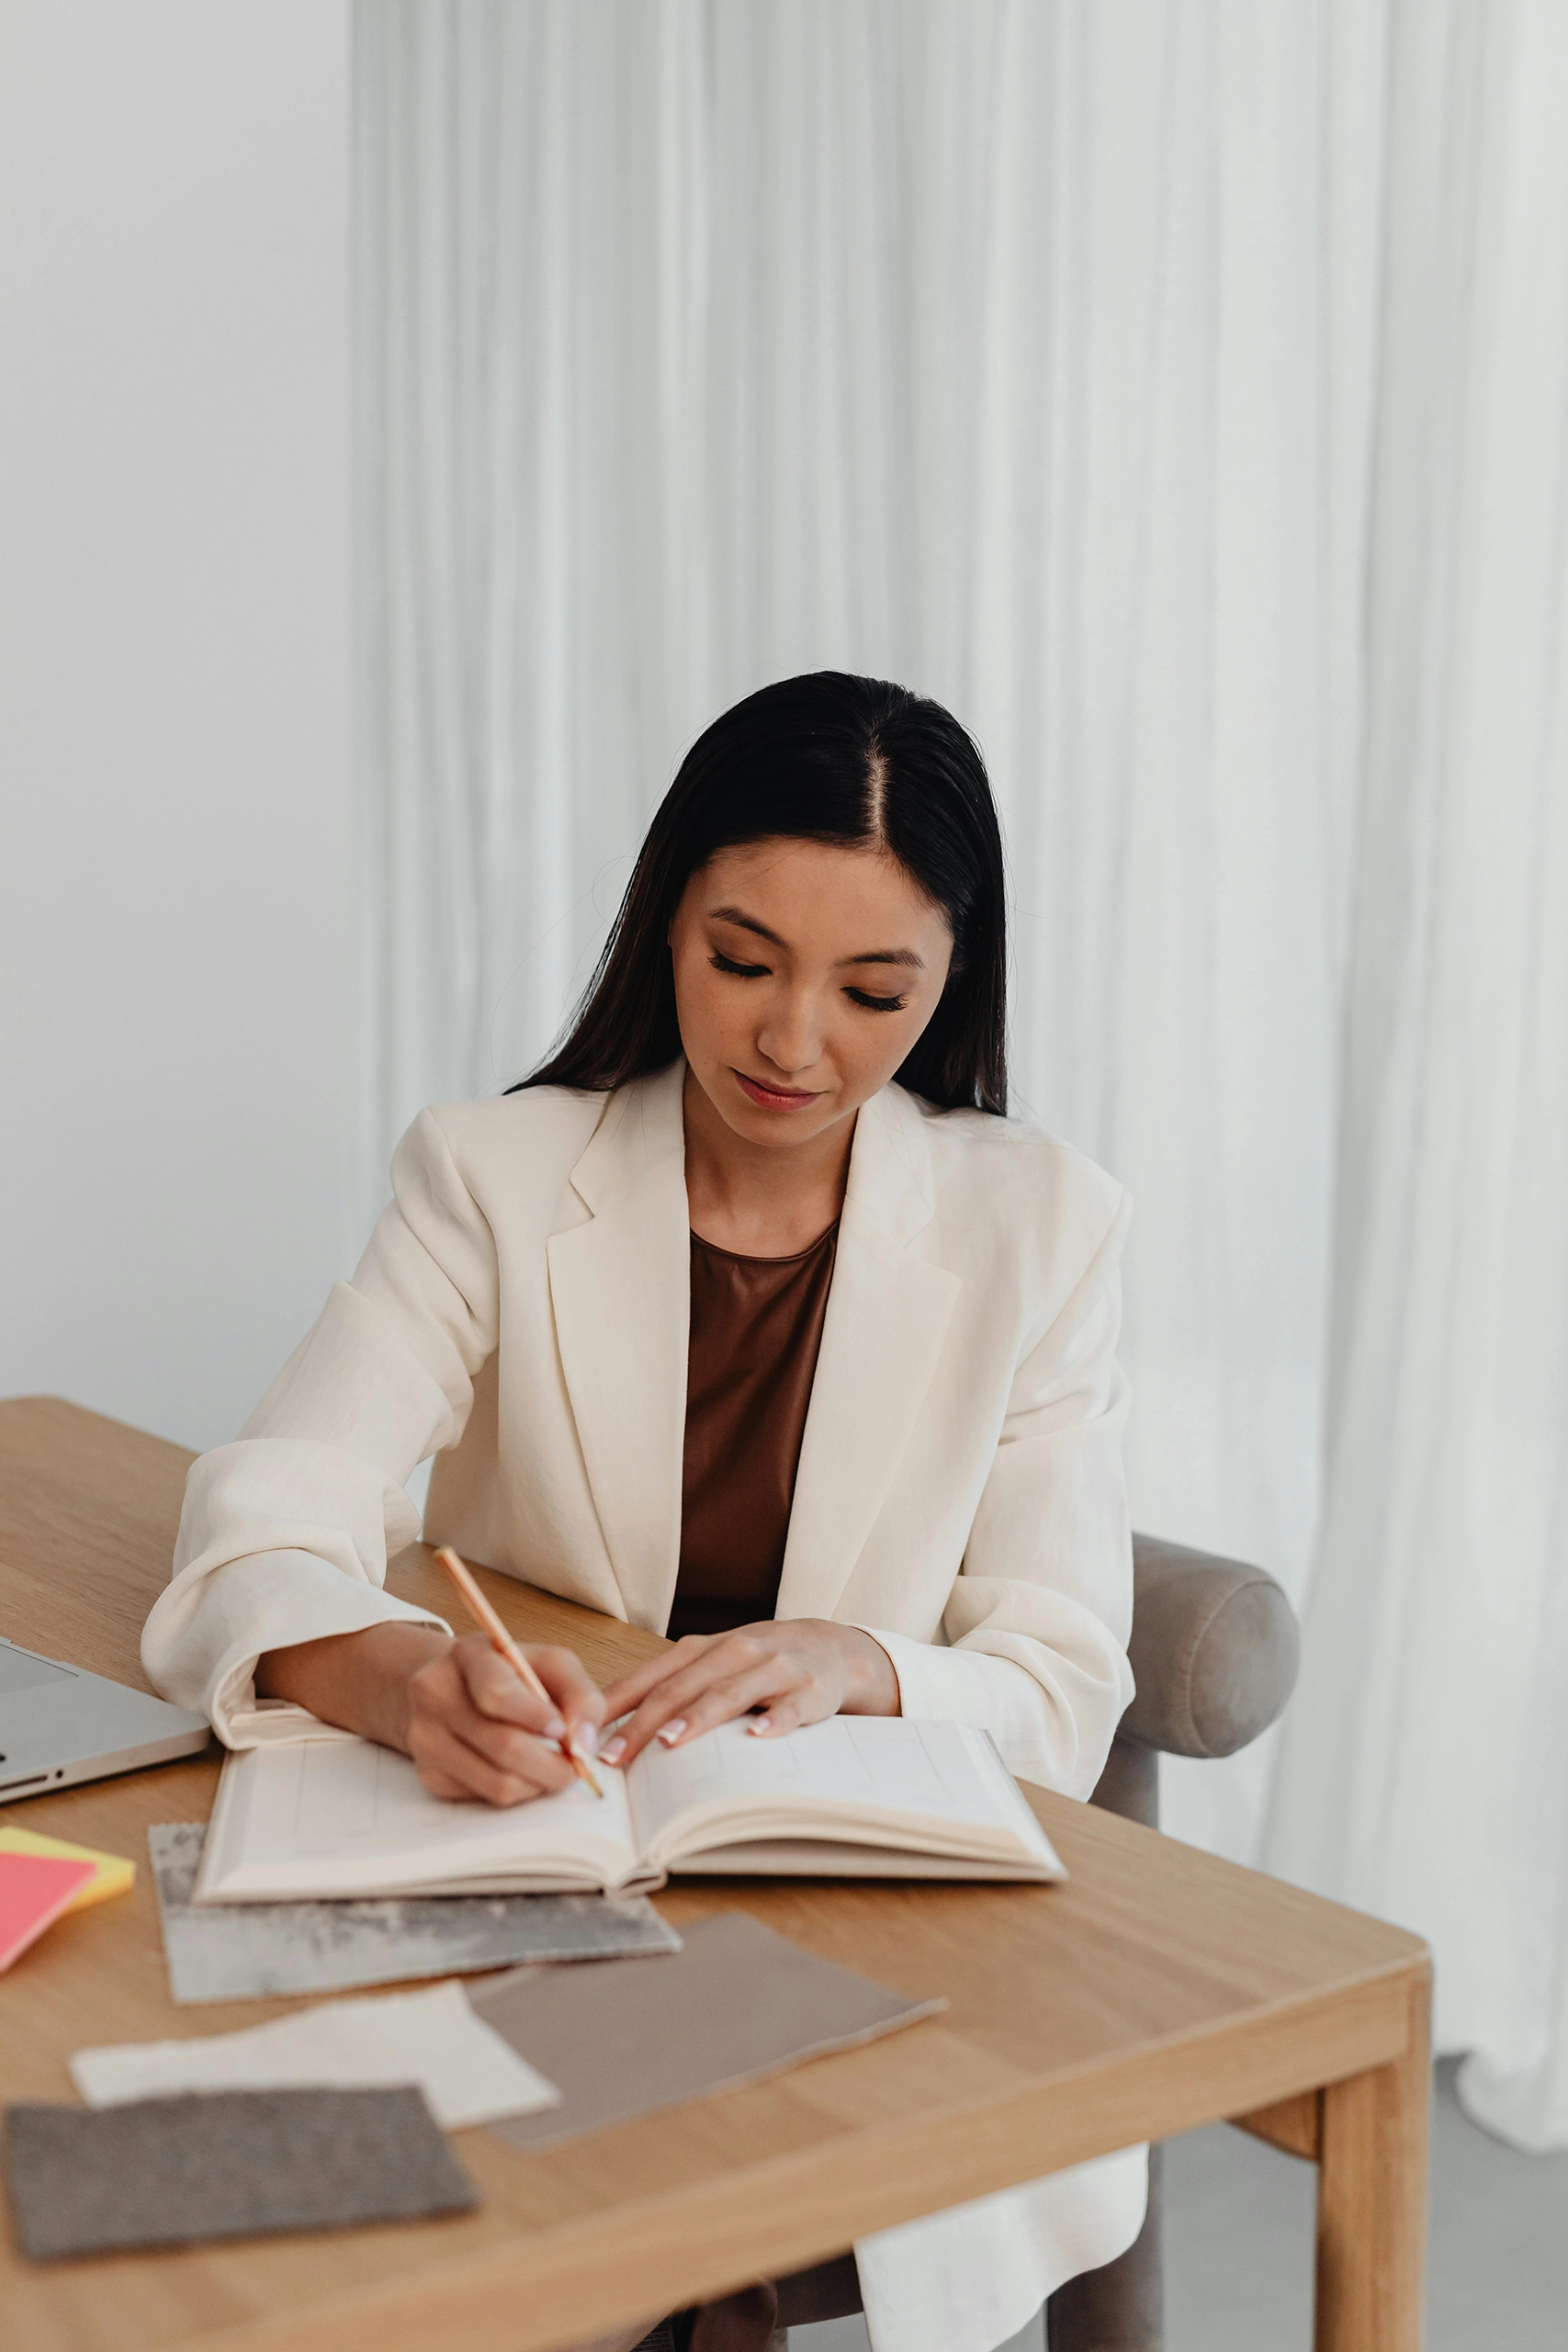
x,y
855,1798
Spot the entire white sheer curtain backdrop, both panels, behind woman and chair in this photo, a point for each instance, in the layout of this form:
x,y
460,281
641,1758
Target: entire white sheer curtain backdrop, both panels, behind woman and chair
x,y
1177,389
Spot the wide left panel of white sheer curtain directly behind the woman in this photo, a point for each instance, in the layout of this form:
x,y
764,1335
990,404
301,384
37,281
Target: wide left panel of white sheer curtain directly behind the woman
x,y
970,342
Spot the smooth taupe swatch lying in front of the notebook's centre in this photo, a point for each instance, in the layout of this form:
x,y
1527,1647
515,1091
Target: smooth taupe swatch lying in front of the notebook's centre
x,y
732,2007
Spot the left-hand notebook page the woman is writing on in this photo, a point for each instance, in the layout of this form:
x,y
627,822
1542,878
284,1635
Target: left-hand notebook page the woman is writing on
x,y
342,1817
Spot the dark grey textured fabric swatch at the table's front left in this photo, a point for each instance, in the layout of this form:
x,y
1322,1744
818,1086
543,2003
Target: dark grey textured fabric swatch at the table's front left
x,y
163,2172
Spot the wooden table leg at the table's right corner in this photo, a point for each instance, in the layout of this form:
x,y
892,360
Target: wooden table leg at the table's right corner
x,y
1372,2200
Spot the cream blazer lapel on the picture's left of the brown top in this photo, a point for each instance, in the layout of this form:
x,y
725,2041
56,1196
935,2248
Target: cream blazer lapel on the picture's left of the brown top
x,y
622,1295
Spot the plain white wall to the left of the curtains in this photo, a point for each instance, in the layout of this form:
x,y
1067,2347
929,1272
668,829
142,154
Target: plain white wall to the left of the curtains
x,y
175,888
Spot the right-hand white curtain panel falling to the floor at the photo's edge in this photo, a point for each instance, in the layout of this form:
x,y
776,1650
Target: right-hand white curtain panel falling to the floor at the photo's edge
x,y
1426,1768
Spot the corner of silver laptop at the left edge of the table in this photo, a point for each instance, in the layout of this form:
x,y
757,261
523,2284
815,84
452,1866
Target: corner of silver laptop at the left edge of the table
x,y
62,1725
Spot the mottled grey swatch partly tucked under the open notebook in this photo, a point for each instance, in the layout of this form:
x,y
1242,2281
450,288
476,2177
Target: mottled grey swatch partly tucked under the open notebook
x,y
255,1951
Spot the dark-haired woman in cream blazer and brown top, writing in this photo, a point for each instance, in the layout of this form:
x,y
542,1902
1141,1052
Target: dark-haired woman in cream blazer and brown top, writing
x,y
749,1318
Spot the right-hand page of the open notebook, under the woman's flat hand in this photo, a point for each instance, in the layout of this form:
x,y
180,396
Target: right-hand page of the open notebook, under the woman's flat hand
x,y
927,1772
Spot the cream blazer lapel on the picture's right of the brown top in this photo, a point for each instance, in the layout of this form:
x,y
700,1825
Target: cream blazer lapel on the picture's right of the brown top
x,y
883,1337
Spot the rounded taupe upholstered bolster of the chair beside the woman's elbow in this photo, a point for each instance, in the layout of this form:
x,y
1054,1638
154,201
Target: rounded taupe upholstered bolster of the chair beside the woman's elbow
x,y
1214,1652
